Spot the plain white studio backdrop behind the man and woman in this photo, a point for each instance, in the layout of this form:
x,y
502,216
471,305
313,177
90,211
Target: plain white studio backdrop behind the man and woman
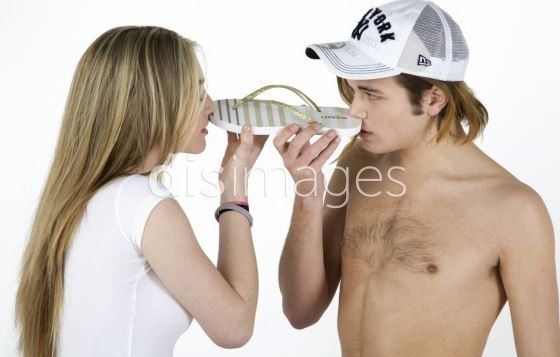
x,y
247,44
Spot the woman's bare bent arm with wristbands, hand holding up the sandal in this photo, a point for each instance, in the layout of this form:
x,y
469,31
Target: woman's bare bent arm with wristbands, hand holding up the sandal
x,y
222,299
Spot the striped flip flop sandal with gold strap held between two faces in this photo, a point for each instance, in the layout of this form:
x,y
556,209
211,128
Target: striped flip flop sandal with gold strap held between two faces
x,y
268,117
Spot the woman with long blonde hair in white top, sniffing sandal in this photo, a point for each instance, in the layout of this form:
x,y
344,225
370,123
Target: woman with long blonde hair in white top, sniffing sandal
x,y
111,267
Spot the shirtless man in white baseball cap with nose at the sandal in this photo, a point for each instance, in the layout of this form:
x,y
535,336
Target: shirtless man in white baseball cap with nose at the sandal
x,y
435,236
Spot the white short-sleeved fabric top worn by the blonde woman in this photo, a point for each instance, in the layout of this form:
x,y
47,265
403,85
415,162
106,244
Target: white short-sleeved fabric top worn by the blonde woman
x,y
114,304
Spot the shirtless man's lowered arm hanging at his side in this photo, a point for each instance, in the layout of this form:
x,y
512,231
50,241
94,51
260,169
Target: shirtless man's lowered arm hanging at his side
x,y
528,270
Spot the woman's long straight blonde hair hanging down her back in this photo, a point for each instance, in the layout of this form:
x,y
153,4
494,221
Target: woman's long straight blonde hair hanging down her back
x,y
134,89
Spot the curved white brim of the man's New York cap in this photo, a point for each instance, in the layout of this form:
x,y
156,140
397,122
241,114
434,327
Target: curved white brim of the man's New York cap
x,y
348,61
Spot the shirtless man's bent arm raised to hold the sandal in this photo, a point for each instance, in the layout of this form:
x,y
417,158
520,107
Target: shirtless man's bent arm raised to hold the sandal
x,y
309,271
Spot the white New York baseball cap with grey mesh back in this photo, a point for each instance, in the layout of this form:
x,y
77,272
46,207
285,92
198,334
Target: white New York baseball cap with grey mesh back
x,y
405,36
